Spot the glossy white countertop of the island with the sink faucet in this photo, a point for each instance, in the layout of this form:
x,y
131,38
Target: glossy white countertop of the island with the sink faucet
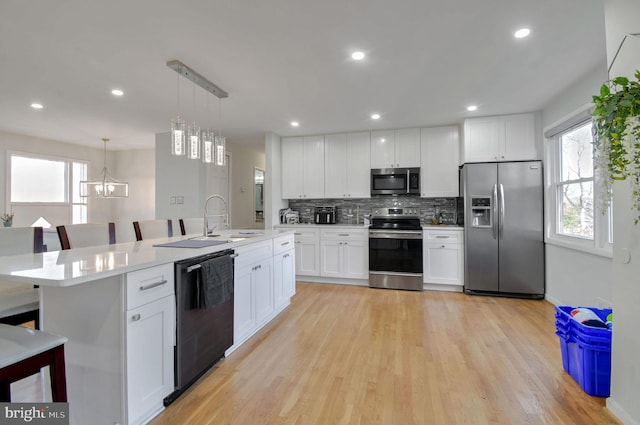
x,y
75,266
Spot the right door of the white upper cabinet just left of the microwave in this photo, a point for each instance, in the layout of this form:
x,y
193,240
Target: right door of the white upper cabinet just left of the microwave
x,y
358,165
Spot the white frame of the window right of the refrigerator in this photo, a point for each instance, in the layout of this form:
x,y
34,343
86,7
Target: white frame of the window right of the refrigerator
x,y
601,243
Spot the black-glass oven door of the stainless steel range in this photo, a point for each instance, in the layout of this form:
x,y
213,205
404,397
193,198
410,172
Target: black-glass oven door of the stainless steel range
x,y
395,251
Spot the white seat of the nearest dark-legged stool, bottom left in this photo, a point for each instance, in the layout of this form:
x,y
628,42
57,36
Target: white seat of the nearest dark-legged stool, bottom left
x,y
18,343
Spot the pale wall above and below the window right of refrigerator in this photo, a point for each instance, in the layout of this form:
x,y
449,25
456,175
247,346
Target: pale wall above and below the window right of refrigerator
x,y
575,277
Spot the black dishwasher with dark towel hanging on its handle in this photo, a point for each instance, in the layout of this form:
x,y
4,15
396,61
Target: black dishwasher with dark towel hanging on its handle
x,y
203,332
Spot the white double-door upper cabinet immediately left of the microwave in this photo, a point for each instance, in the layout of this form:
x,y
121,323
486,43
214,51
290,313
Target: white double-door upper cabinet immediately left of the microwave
x,y
347,165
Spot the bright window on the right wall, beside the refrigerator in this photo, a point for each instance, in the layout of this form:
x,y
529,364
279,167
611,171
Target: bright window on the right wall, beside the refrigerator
x,y
574,216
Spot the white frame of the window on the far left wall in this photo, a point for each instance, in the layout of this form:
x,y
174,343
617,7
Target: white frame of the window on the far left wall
x,y
69,189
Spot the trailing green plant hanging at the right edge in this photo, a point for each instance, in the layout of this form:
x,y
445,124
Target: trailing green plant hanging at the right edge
x,y
616,136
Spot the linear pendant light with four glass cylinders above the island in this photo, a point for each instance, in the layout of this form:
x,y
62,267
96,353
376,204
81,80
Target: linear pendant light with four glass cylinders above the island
x,y
191,141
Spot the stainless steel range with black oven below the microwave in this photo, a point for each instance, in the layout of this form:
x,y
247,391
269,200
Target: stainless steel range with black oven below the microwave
x,y
395,249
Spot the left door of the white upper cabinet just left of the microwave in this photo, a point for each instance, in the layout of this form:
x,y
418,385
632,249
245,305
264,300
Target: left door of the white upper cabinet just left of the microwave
x,y
335,166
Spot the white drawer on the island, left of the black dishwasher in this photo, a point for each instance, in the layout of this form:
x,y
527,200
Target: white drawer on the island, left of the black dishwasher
x,y
147,285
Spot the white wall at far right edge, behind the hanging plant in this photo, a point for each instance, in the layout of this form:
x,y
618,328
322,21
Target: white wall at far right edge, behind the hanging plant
x,y
621,17
